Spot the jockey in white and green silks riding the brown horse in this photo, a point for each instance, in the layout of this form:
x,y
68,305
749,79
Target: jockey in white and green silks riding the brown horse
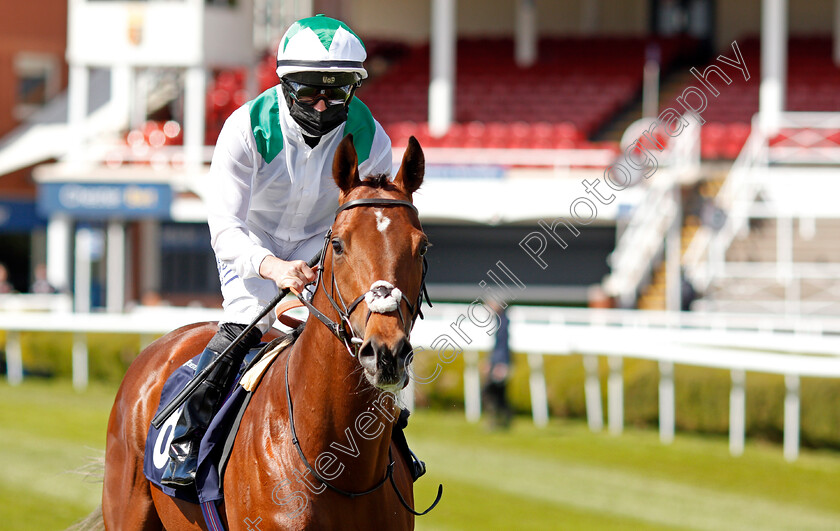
x,y
271,199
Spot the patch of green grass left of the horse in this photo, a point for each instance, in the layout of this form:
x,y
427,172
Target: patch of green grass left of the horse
x,y
48,432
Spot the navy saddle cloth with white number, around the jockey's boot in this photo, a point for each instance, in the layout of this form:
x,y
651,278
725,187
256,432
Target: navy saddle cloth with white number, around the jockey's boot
x,y
208,480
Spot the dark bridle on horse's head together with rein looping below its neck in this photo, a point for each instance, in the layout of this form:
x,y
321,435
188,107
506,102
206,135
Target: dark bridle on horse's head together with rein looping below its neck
x,y
350,339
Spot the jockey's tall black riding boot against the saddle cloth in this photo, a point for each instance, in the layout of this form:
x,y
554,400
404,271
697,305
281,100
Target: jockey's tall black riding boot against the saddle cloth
x,y
204,402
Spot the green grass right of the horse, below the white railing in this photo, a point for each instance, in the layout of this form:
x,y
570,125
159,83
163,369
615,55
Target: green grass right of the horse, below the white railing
x,y
564,477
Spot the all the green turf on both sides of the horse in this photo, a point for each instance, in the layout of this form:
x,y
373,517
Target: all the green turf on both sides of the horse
x,y
559,477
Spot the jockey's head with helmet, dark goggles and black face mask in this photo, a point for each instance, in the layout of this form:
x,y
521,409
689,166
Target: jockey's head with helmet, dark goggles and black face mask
x,y
320,59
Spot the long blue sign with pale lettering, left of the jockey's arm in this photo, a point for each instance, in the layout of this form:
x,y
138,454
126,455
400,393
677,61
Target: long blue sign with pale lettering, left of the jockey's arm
x,y
104,200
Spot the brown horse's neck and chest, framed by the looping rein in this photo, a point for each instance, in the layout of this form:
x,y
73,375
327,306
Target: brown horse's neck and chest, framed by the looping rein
x,y
336,410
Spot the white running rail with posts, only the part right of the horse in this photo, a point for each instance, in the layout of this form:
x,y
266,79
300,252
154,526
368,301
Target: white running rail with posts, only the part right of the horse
x,y
737,342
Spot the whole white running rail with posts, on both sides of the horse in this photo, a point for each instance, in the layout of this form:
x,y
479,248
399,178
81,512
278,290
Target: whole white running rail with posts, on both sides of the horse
x,y
794,348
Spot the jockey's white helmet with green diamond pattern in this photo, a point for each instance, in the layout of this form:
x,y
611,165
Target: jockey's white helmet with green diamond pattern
x,y
320,44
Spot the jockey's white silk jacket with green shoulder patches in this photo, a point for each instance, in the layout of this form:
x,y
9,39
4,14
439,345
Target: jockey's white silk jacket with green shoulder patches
x,y
268,189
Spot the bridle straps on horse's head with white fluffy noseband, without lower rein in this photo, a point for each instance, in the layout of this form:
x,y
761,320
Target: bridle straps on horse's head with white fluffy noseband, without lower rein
x,y
379,298
